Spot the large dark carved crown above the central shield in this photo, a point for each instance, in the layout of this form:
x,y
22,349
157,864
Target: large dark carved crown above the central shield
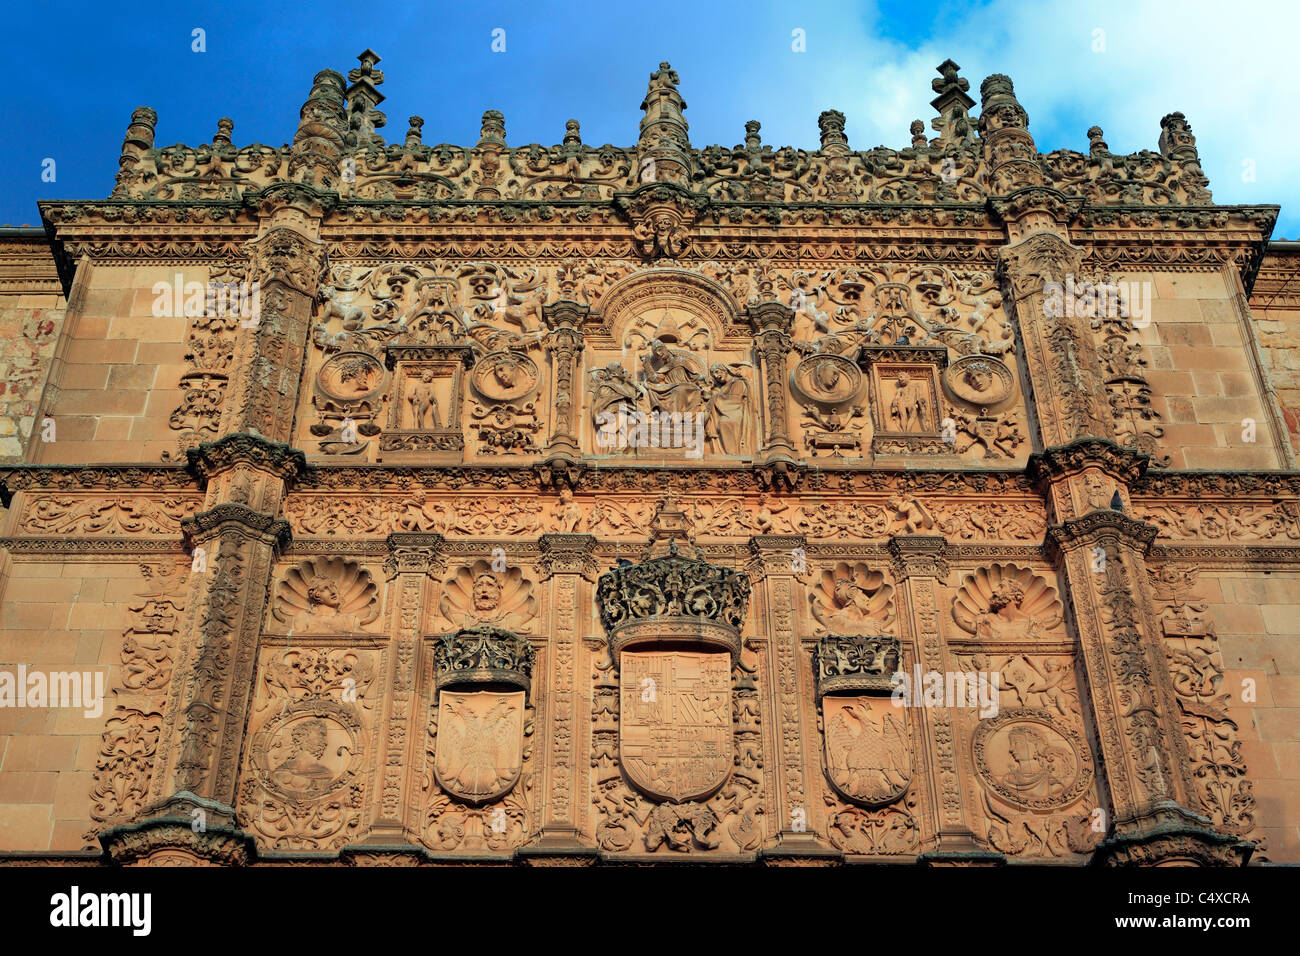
x,y
674,600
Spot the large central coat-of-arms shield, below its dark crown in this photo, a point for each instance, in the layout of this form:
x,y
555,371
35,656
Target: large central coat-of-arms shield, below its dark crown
x,y
675,723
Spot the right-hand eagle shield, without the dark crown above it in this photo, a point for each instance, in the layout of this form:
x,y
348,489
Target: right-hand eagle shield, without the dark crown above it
x,y
868,758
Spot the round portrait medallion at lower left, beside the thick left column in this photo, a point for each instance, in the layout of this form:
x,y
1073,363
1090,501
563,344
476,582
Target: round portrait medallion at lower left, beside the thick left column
x,y
309,751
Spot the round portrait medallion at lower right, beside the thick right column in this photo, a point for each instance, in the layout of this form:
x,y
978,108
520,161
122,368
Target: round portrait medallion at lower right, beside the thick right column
x,y
1032,760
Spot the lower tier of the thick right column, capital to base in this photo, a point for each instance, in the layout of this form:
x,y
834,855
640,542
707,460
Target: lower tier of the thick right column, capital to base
x,y
1100,556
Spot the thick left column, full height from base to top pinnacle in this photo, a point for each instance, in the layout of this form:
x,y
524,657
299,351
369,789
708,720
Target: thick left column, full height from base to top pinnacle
x,y
248,473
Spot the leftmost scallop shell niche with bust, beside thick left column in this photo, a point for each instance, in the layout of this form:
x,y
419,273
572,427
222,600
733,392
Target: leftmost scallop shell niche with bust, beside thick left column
x,y
332,595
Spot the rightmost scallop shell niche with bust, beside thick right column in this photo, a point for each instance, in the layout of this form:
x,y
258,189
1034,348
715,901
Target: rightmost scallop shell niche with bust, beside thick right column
x,y
1006,602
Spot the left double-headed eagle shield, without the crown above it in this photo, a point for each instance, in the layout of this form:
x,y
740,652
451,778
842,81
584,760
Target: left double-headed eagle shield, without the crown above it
x,y
480,745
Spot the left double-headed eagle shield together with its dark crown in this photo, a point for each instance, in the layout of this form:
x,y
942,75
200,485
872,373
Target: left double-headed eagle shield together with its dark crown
x,y
479,751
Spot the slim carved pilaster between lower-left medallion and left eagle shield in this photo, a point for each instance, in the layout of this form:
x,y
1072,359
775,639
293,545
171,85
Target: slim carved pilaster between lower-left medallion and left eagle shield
x,y
413,559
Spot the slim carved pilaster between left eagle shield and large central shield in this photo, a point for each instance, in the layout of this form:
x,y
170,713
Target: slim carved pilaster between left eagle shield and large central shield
x,y
567,561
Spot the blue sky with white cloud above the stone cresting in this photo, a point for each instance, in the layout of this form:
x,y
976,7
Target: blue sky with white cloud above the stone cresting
x,y
81,68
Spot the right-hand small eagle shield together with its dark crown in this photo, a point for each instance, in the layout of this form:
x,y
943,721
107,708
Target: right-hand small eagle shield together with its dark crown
x,y
866,736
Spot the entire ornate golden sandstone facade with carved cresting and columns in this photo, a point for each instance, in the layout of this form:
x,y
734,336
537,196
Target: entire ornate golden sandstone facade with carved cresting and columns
x,y
562,505
